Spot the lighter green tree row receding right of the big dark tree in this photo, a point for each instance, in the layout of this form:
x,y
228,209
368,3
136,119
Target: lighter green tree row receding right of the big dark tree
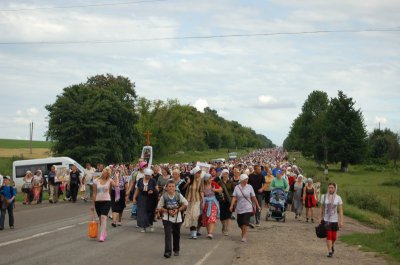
x,y
175,127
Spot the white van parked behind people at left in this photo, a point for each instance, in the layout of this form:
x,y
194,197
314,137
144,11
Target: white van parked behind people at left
x,y
44,164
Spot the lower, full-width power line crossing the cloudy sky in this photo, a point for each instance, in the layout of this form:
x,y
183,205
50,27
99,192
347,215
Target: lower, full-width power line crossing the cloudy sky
x,y
397,29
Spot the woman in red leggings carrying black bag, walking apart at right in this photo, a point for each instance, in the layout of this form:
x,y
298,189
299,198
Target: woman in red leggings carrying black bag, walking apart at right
x,y
331,213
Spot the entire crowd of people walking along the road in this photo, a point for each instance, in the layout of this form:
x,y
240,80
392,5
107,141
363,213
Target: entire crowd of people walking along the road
x,y
191,195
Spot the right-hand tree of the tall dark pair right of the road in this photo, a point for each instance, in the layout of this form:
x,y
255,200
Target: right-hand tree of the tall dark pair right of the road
x,y
346,132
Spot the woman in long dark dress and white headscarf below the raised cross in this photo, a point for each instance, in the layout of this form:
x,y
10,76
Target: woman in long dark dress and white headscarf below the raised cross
x,y
143,197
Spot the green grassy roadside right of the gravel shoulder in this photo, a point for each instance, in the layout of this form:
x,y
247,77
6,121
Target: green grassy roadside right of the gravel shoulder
x,y
371,196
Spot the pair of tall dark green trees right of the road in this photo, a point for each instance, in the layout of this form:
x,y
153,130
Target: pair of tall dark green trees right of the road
x,y
329,131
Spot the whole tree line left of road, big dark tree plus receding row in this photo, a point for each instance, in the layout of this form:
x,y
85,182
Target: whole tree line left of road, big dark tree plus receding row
x,y
103,120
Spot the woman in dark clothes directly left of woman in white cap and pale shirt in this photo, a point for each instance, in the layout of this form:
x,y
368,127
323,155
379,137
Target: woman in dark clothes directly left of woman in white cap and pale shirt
x,y
226,199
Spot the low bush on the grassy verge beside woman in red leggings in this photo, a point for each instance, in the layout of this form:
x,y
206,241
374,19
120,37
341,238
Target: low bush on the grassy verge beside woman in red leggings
x,y
368,201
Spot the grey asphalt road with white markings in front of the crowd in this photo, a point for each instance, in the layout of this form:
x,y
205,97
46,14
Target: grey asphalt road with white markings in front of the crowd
x,y
57,234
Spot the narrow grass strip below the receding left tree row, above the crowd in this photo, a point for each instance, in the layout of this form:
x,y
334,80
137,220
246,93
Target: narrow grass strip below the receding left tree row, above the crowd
x,y
198,156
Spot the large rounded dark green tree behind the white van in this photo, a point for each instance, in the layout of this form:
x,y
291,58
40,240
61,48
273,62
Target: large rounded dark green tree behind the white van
x,y
95,121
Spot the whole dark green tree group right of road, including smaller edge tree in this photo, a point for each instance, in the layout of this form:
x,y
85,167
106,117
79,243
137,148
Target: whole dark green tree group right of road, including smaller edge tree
x,y
333,130
